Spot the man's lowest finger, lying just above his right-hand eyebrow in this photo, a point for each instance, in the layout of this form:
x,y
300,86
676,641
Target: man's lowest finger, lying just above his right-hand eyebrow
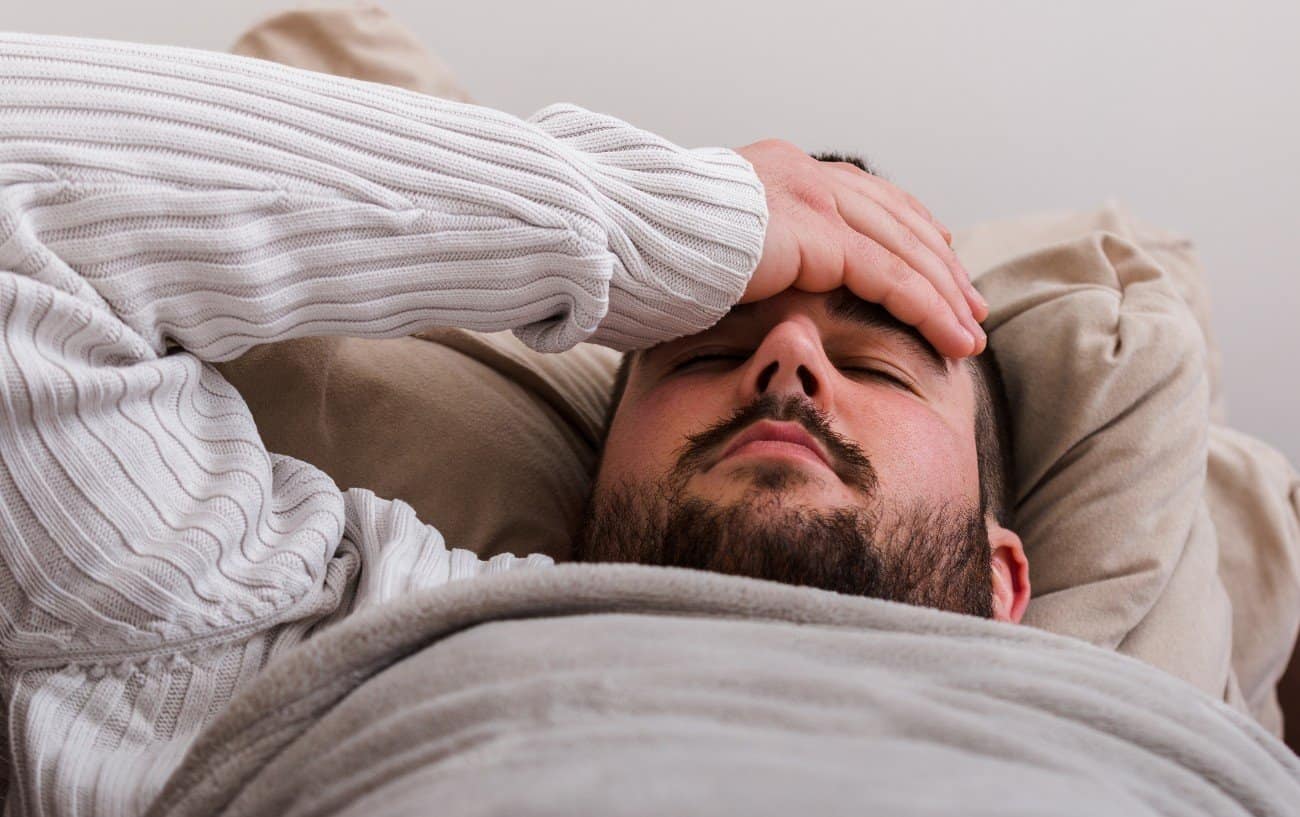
x,y
876,274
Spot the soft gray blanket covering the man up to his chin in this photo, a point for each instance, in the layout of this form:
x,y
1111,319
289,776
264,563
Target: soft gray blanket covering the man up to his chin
x,y
632,690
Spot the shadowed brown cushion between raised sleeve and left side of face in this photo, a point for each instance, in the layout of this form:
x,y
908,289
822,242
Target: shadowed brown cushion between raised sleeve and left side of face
x,y
488,440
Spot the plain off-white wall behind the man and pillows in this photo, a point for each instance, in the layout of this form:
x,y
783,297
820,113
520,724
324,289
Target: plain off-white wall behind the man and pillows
x,y
1188,111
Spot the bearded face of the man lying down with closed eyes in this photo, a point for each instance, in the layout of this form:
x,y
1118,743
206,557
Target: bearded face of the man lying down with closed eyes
x,y
882,498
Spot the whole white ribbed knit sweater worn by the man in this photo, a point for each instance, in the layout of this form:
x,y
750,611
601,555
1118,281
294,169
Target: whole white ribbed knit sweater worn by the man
x,y
162,209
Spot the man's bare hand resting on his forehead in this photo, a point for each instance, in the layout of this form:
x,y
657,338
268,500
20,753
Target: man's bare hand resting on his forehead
x,y
831,226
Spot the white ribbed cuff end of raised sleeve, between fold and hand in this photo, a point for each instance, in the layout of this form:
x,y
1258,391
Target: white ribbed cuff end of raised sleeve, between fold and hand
x,y
686,227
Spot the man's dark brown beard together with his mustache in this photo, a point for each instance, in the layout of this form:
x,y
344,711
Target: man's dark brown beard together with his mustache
x,y
931,556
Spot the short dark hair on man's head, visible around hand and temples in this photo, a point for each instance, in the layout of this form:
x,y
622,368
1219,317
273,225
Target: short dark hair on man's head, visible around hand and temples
x,y
993,412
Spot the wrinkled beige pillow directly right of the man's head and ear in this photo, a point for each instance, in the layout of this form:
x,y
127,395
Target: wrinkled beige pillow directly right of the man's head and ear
x,y
1106,374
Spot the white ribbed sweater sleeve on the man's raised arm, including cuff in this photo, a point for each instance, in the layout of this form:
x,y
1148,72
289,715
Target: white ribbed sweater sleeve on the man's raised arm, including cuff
x,y
216,202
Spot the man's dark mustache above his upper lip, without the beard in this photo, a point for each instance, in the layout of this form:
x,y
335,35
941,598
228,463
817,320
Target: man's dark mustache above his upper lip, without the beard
x,y
848,461
